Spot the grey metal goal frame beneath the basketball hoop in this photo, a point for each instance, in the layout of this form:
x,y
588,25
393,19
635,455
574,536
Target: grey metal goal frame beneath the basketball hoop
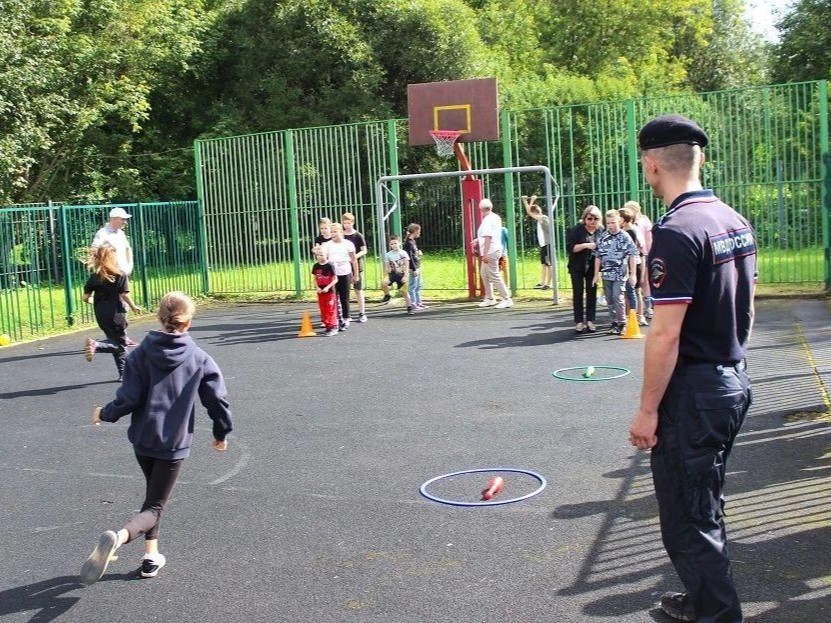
x,y
552,199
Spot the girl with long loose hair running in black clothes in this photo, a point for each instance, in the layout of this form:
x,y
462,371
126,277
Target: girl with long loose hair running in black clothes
x,y
109,289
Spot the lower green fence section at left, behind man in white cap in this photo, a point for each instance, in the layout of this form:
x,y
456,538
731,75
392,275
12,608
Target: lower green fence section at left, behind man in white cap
x,y
42,253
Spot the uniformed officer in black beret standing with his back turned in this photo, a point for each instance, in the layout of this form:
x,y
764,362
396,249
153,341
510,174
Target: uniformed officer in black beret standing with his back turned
x,y
695,394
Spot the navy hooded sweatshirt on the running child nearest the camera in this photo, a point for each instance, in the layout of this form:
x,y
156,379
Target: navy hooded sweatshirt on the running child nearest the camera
x,y
163,377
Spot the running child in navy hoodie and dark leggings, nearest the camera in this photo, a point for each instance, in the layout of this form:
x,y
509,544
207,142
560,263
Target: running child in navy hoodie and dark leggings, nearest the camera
x,y
163,379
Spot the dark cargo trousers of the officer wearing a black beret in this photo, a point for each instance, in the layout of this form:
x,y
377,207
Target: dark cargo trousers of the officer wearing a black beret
x,y
700,415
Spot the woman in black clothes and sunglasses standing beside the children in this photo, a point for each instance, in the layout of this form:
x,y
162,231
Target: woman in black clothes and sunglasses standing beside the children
x,y
580,242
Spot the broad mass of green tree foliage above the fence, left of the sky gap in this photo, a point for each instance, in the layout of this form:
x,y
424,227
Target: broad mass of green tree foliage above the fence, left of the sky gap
x,y
102,99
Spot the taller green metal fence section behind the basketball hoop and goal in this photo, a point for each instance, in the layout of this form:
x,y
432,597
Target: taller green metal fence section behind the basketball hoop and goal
x,y
262,194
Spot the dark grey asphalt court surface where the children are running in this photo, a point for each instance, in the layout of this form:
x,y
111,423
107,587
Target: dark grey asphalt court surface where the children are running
x,y
314,513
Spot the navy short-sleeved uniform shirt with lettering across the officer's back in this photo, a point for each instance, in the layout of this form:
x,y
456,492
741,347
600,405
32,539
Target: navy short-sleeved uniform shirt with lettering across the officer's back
x,y
704,255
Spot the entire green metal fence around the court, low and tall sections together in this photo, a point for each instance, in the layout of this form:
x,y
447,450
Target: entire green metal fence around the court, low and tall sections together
x,y
260,197
